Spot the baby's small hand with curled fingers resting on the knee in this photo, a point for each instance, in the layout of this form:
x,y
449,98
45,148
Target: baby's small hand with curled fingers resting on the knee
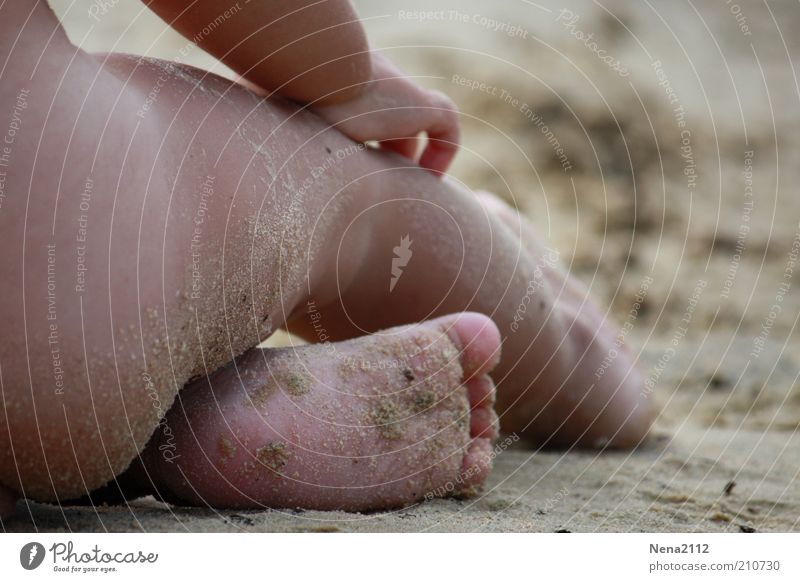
x,y
393,110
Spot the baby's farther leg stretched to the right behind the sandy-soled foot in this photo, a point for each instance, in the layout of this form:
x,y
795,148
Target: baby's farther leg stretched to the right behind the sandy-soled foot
x,y
473,252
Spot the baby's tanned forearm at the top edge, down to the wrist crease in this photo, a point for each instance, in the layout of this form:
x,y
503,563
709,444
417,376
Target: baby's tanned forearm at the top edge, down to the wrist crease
x,y
306,50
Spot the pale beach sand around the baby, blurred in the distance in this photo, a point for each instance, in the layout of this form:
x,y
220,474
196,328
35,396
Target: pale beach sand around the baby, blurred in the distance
x,y
712,225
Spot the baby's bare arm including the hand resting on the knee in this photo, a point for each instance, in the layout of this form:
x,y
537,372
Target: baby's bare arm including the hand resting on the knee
x,y
316,52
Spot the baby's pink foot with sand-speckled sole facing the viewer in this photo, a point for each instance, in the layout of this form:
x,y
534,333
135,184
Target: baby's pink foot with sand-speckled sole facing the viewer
x,y
376,422
